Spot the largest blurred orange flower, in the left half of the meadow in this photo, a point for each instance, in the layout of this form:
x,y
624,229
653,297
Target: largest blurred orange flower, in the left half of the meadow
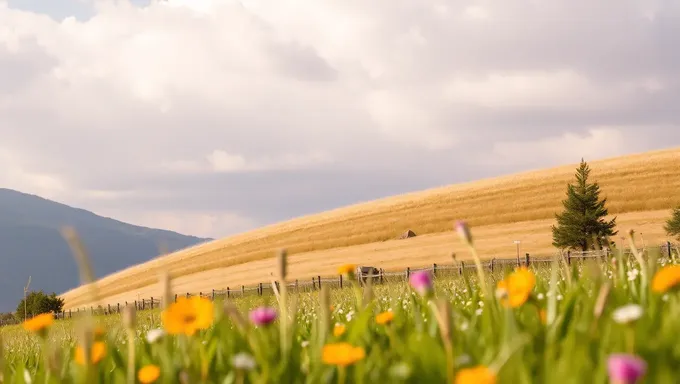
x,y
188,315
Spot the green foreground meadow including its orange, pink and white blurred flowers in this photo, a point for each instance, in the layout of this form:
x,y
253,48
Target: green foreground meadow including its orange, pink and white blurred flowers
x,y
597,321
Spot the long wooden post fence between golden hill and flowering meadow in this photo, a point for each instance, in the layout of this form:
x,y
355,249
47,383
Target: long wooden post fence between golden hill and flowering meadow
x,y
314,283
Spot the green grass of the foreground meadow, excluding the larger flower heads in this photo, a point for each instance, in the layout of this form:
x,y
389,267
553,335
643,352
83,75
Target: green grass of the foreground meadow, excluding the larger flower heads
x,y
573,347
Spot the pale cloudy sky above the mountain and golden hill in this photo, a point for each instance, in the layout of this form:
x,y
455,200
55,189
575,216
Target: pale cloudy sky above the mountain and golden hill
x,y
212,117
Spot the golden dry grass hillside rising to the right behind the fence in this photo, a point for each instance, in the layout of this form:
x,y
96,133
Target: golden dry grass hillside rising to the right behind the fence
x,y
641,189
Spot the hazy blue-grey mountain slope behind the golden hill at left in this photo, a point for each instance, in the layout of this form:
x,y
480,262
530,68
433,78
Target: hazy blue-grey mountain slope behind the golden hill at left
x,y
31,245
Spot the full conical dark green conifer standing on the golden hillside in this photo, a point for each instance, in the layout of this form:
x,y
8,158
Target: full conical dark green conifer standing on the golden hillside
x,y
583,216
